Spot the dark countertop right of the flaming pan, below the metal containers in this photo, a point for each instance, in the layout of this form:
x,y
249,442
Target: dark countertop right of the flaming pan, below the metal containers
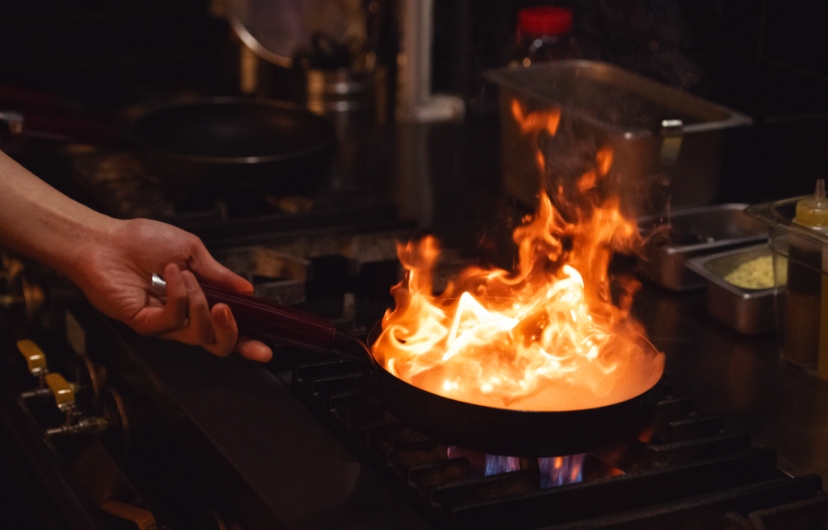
x,y
740,378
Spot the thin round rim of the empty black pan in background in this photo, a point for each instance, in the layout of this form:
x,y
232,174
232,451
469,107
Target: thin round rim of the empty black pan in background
x,y
233,100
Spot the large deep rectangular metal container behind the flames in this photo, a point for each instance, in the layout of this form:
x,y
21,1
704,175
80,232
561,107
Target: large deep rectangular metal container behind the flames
x,y
667,144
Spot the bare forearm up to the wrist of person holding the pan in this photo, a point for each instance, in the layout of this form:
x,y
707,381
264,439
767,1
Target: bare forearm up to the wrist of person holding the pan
x,y
39,222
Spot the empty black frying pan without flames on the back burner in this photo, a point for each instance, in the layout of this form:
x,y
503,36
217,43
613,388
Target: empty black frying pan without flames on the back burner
x,y
236,145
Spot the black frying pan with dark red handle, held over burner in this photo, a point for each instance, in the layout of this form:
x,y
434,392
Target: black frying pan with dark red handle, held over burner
x,y
485,429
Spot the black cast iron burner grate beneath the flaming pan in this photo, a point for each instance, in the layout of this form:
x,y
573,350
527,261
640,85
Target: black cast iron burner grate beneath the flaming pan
x,y
685,471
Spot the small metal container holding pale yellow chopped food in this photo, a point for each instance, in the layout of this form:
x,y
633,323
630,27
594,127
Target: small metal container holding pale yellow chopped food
x,y
748,311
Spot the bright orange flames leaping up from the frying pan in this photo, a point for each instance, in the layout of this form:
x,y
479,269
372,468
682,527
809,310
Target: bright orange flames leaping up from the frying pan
x,y
545,336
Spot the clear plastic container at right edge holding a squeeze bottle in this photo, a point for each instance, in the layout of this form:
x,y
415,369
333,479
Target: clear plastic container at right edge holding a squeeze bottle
x,y
801,265
